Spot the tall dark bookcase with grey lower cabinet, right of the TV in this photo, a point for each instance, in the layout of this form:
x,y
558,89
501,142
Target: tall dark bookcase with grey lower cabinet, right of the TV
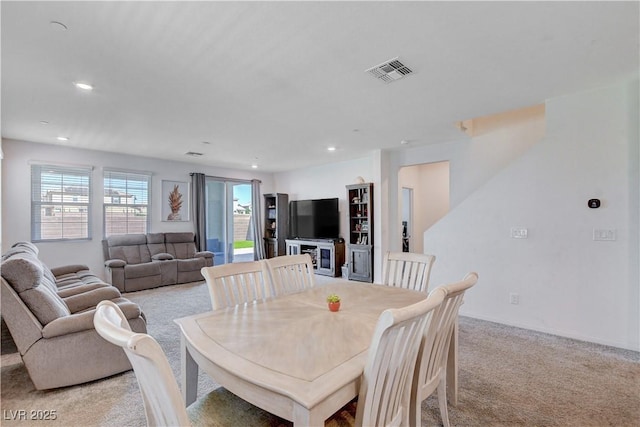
x,y
360,241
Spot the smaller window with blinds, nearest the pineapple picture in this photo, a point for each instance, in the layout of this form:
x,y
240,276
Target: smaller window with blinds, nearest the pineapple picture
x,y
126,202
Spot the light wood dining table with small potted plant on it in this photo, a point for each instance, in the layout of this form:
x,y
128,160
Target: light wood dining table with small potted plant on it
x,y
289,355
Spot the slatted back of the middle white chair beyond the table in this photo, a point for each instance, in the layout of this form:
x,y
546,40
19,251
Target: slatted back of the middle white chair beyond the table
x,y
291,273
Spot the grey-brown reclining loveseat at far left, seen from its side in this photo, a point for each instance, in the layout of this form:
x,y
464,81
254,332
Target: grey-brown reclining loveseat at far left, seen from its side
x,y
49,313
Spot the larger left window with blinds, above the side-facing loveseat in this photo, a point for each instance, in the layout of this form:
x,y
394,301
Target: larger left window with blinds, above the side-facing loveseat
x,y
60,203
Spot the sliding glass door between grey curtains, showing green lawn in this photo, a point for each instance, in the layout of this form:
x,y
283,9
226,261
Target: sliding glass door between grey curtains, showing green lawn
x,y
228,220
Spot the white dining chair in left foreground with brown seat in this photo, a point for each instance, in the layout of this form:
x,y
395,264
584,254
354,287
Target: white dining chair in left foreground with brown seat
x,y
163,403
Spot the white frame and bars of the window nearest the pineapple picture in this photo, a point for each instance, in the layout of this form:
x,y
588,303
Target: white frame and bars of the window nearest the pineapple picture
x,y
128,177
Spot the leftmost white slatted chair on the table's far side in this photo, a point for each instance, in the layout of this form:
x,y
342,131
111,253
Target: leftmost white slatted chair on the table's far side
x,y
237,283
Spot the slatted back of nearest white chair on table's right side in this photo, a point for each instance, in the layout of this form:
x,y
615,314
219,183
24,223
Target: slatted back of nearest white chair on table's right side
x,y
386,384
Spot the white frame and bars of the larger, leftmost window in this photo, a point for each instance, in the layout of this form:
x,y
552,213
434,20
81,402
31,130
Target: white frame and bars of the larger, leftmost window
x,y
82,181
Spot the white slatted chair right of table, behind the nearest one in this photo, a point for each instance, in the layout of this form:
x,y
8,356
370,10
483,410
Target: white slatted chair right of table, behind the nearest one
x,y
431,369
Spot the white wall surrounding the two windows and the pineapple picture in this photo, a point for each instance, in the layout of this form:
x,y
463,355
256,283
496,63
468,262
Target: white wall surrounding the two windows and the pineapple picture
x,y
16,187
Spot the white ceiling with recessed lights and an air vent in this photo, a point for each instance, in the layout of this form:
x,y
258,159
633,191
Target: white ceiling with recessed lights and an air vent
x,y
276,83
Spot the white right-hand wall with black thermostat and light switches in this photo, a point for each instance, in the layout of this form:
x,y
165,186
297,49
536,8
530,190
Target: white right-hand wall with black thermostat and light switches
x,y
567,283
